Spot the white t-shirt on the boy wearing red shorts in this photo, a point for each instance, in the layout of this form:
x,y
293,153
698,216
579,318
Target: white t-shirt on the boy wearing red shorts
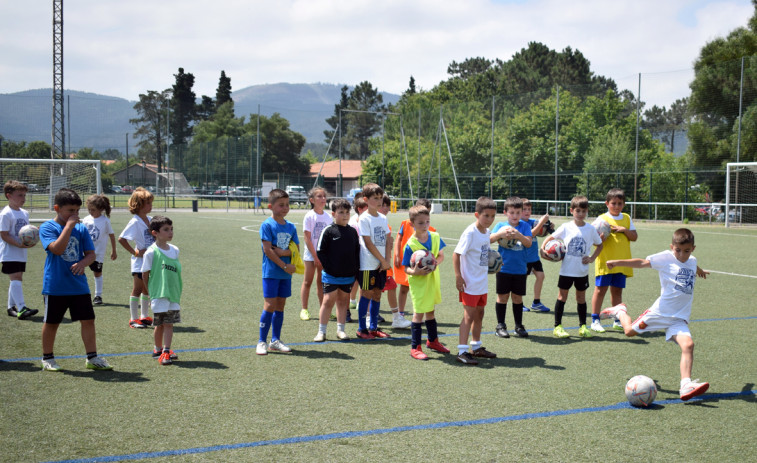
x,y
473,248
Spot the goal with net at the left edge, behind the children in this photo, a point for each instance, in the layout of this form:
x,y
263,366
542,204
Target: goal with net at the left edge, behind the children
x,y
44,177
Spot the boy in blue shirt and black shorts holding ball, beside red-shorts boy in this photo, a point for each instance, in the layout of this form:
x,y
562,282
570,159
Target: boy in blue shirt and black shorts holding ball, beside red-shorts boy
x,y
511,278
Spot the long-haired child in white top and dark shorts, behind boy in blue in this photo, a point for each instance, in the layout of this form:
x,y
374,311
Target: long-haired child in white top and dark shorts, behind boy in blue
x,y
100,229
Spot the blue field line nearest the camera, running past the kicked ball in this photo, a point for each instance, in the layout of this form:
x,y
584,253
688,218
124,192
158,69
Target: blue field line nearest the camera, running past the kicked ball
x,y
374,432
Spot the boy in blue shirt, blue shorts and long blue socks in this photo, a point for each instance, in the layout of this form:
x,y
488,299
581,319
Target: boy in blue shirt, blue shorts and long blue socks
x,y
275,235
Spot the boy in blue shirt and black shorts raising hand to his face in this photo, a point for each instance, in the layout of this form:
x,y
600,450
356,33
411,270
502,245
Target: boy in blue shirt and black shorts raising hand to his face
x,y
69,251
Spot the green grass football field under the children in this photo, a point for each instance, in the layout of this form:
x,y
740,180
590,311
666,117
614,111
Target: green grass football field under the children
x,y
542,399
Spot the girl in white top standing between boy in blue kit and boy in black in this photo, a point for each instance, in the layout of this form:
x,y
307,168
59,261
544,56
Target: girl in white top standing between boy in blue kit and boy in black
x,y
316,220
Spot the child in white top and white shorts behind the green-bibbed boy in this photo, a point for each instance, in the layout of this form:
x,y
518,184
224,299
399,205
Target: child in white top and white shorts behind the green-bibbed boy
x,y
138,231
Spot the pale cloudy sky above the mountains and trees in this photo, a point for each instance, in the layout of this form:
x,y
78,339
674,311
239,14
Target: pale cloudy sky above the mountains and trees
x,y
124,48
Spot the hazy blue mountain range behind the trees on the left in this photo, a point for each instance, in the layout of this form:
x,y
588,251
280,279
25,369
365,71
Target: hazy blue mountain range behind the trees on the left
x,y
102,122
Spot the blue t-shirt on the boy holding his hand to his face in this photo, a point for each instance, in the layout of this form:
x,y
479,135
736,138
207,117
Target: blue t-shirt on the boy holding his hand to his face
x,y
58,280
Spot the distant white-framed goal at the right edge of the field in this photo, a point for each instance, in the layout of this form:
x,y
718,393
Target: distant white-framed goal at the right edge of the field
x,y
741,193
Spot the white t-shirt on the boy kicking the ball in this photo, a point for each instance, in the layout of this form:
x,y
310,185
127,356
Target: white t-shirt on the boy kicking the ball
x,y
676,284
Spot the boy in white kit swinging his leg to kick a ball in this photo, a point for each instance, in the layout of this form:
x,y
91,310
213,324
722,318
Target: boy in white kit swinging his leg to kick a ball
x,y
671,311
